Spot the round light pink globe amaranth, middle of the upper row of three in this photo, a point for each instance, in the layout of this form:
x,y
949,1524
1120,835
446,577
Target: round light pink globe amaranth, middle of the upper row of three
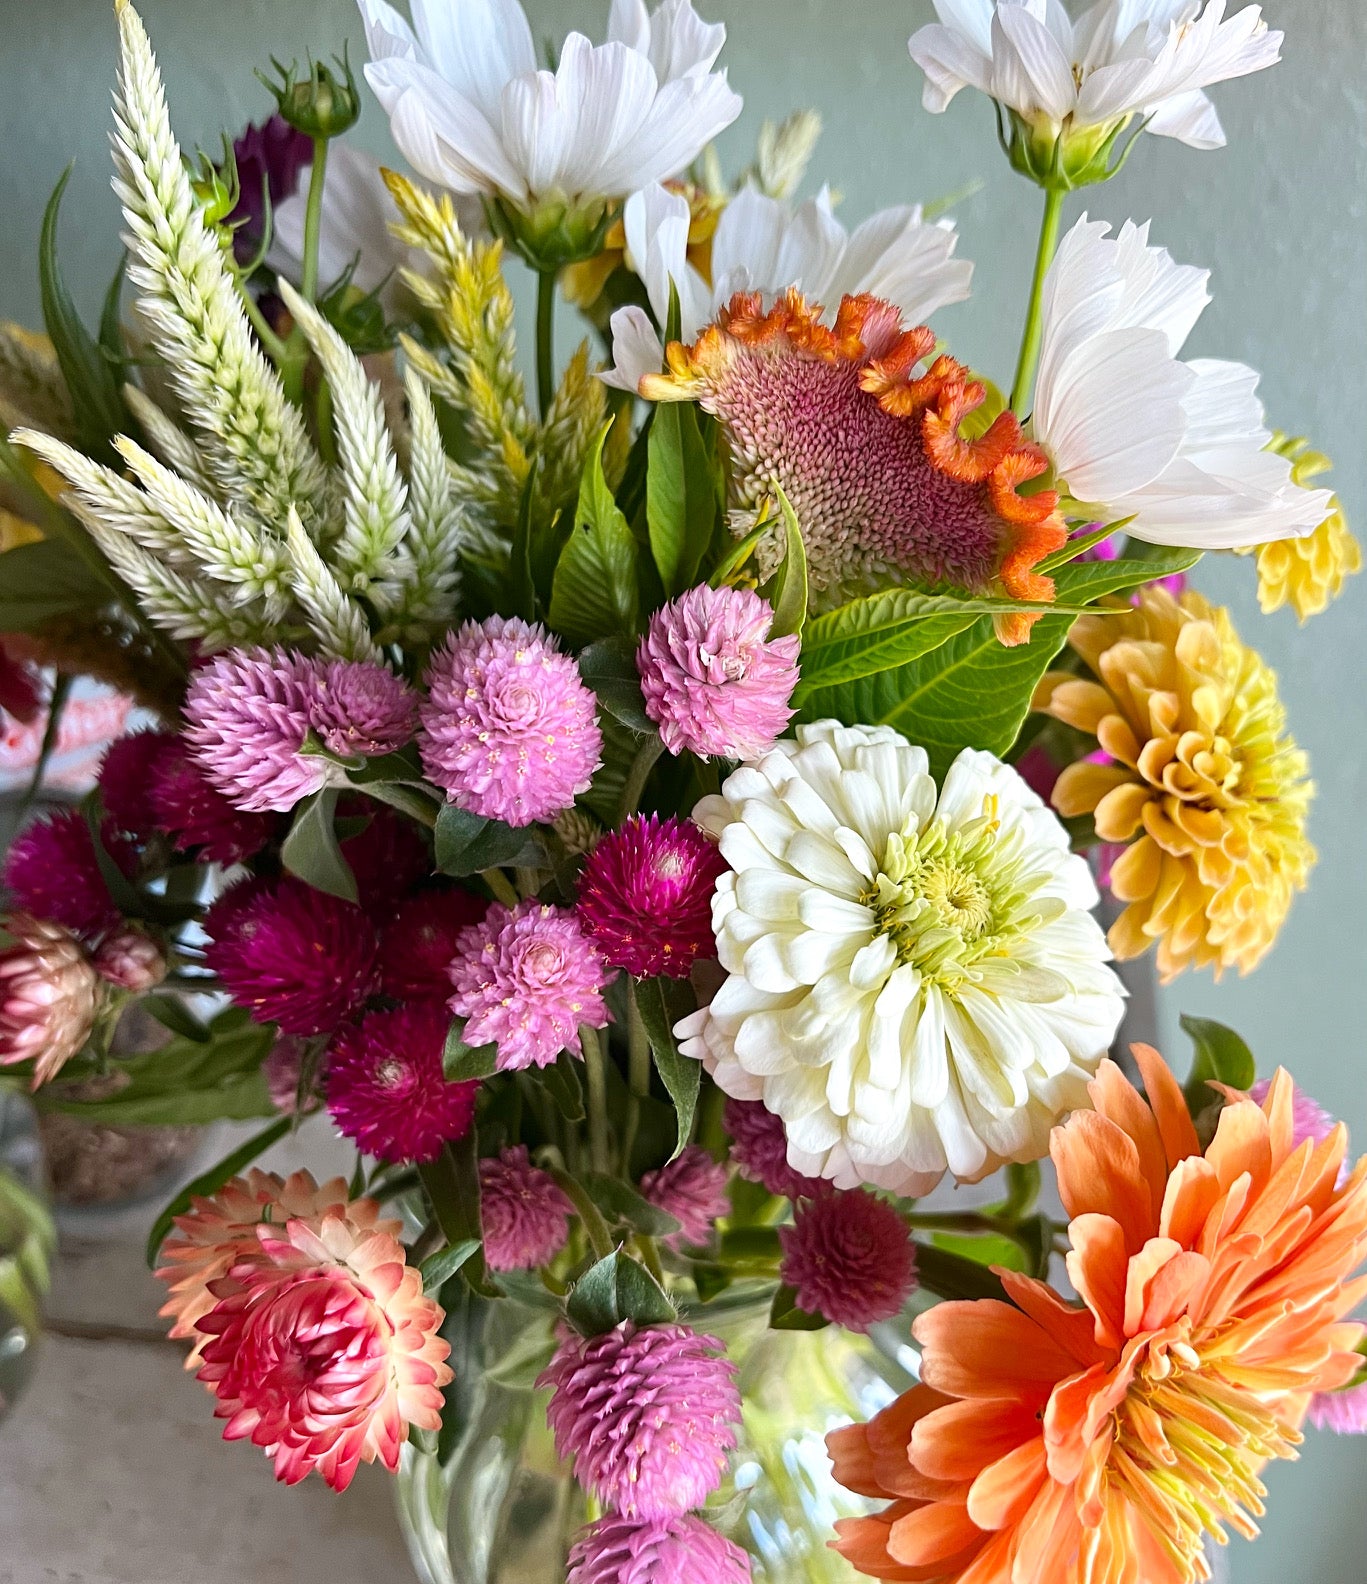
x,y
509,728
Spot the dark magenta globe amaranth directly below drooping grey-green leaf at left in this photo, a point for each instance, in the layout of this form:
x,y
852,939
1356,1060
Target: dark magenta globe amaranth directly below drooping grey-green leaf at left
x,y
291,954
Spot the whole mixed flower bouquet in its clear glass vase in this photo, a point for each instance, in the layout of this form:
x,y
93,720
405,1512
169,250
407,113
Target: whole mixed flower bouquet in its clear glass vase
x,y
660,820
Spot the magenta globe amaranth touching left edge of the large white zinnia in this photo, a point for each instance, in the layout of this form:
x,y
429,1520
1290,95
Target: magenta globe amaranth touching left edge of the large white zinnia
x,y
645,896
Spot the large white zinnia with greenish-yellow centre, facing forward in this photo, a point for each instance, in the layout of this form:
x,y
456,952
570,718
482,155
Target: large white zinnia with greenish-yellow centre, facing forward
x,y
915,981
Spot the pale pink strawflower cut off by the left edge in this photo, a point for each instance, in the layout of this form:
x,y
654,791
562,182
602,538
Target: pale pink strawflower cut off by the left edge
x,y
50,994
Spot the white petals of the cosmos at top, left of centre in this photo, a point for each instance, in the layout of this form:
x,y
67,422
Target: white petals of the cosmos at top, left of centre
x,y
470,109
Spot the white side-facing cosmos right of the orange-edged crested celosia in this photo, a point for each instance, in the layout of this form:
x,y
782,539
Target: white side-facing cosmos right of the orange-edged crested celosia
x,y
1130,428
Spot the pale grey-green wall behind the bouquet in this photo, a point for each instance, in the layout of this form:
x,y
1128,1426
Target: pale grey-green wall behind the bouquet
x,y
1279,215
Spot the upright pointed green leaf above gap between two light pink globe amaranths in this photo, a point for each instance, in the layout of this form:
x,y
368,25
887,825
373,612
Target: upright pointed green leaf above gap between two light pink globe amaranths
x,y
595,590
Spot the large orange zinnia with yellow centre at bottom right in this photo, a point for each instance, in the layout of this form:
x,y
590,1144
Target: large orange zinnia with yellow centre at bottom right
x,y
1102,1442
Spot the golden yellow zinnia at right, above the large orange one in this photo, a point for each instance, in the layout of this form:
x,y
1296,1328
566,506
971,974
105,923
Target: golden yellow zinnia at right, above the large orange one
x,y
1203,783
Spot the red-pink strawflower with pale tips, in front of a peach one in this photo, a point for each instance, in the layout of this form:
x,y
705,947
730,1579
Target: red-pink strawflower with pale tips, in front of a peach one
x,y
322,1347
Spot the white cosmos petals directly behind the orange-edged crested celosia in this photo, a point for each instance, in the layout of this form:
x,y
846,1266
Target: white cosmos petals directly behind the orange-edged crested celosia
x,y
763,245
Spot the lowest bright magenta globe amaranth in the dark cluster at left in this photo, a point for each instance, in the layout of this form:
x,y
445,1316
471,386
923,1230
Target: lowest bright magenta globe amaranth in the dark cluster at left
x,y
387,1089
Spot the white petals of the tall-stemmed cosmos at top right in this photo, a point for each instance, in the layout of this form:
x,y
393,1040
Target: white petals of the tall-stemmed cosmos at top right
x,y
1119,59
